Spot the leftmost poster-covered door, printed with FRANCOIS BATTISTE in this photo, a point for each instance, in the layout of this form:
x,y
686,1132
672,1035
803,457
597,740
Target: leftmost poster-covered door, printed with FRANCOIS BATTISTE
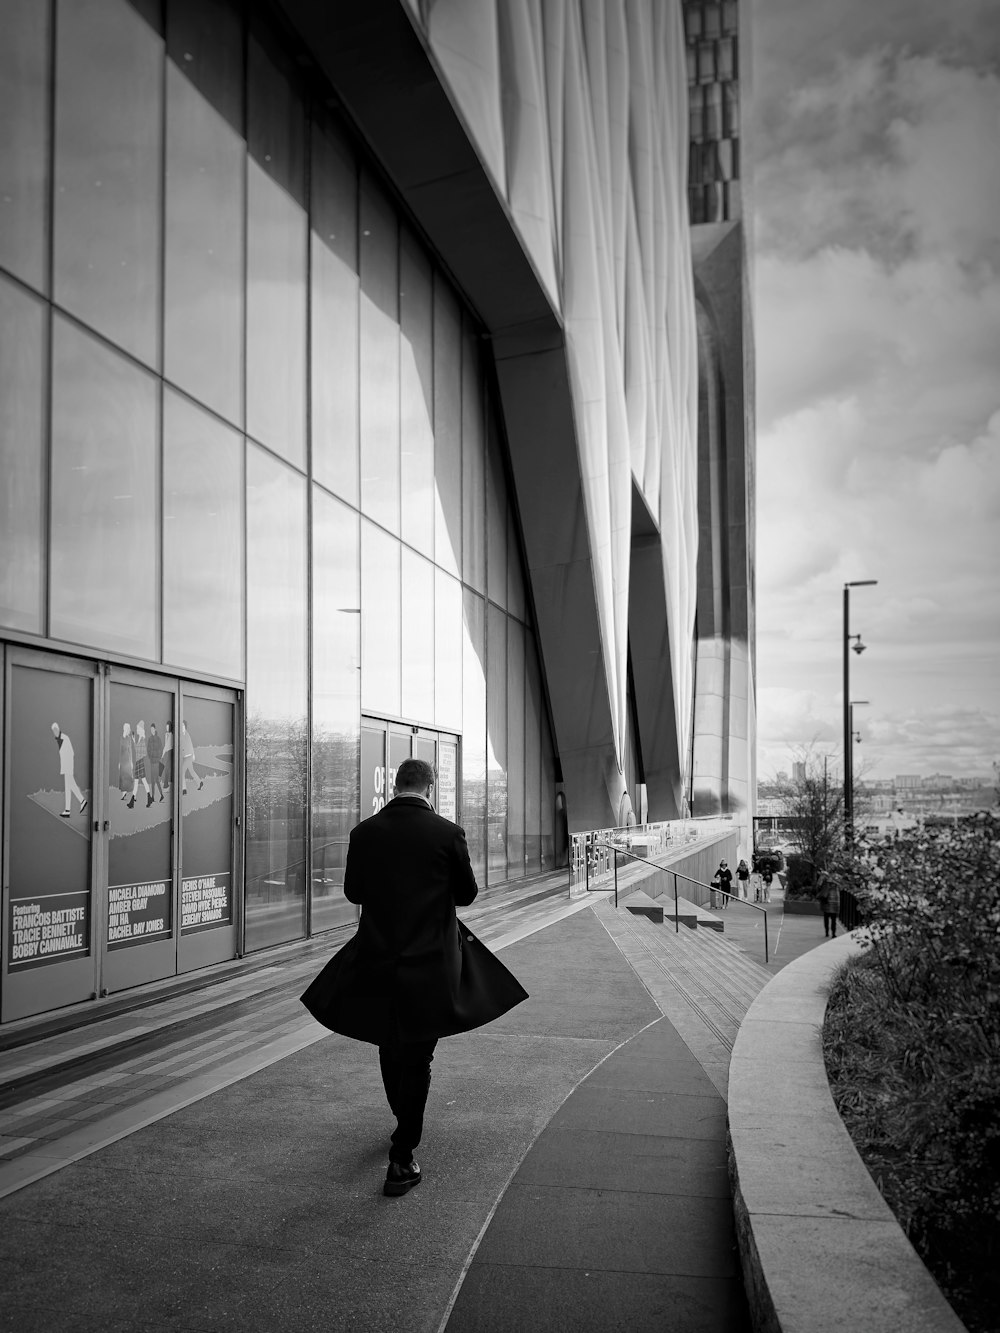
x,y
50,924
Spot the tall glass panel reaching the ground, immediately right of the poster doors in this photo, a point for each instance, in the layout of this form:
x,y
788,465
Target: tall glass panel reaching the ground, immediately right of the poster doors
x,y
277,706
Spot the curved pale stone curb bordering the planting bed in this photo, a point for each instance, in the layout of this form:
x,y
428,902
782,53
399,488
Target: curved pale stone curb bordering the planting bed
x,y
819,1247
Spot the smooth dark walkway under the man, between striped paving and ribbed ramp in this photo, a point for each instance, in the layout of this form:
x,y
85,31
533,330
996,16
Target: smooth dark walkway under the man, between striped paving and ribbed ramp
x,y
259,1207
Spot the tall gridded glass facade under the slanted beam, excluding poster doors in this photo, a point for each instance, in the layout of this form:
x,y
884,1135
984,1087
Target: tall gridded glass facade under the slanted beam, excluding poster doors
x,y
247,435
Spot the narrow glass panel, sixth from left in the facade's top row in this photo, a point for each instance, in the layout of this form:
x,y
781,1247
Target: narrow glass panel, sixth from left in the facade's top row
x,y
379,357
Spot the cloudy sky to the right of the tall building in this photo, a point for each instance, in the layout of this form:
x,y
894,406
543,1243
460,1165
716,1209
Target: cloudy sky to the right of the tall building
x,y
875,154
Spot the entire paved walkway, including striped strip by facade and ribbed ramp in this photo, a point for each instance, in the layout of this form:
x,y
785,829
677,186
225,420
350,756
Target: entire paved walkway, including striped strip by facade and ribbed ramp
x,y
226,1172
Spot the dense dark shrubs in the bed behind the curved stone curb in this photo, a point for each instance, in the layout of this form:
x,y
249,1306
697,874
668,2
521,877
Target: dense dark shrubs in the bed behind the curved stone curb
x,y
913,1046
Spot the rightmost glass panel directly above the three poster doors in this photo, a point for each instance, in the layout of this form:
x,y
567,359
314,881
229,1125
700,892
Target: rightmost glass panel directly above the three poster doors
x,y
202,541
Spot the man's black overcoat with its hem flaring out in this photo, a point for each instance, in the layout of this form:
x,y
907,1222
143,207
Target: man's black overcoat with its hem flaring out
x,y
411,972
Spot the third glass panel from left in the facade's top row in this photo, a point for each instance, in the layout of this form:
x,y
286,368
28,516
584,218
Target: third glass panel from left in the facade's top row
x,y
206,155
